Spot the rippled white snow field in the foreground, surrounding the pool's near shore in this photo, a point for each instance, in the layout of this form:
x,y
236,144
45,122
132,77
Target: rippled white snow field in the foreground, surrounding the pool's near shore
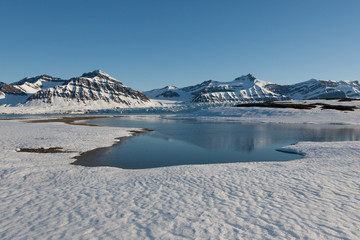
x,y
42,196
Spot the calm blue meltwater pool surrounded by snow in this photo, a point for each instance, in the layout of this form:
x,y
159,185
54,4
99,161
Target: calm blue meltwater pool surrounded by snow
x,y
190,142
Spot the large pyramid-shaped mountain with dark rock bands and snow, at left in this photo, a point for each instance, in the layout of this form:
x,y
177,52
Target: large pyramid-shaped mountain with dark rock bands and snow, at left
x,y
93,87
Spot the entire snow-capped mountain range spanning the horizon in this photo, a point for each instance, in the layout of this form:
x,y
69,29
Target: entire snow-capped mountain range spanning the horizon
x,y
105,91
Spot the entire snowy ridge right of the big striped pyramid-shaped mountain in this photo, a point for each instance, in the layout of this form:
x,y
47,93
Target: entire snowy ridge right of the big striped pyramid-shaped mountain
x,y
250,89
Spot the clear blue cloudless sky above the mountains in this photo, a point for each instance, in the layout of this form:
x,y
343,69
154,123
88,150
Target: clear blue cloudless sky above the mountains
x,y
152,43
